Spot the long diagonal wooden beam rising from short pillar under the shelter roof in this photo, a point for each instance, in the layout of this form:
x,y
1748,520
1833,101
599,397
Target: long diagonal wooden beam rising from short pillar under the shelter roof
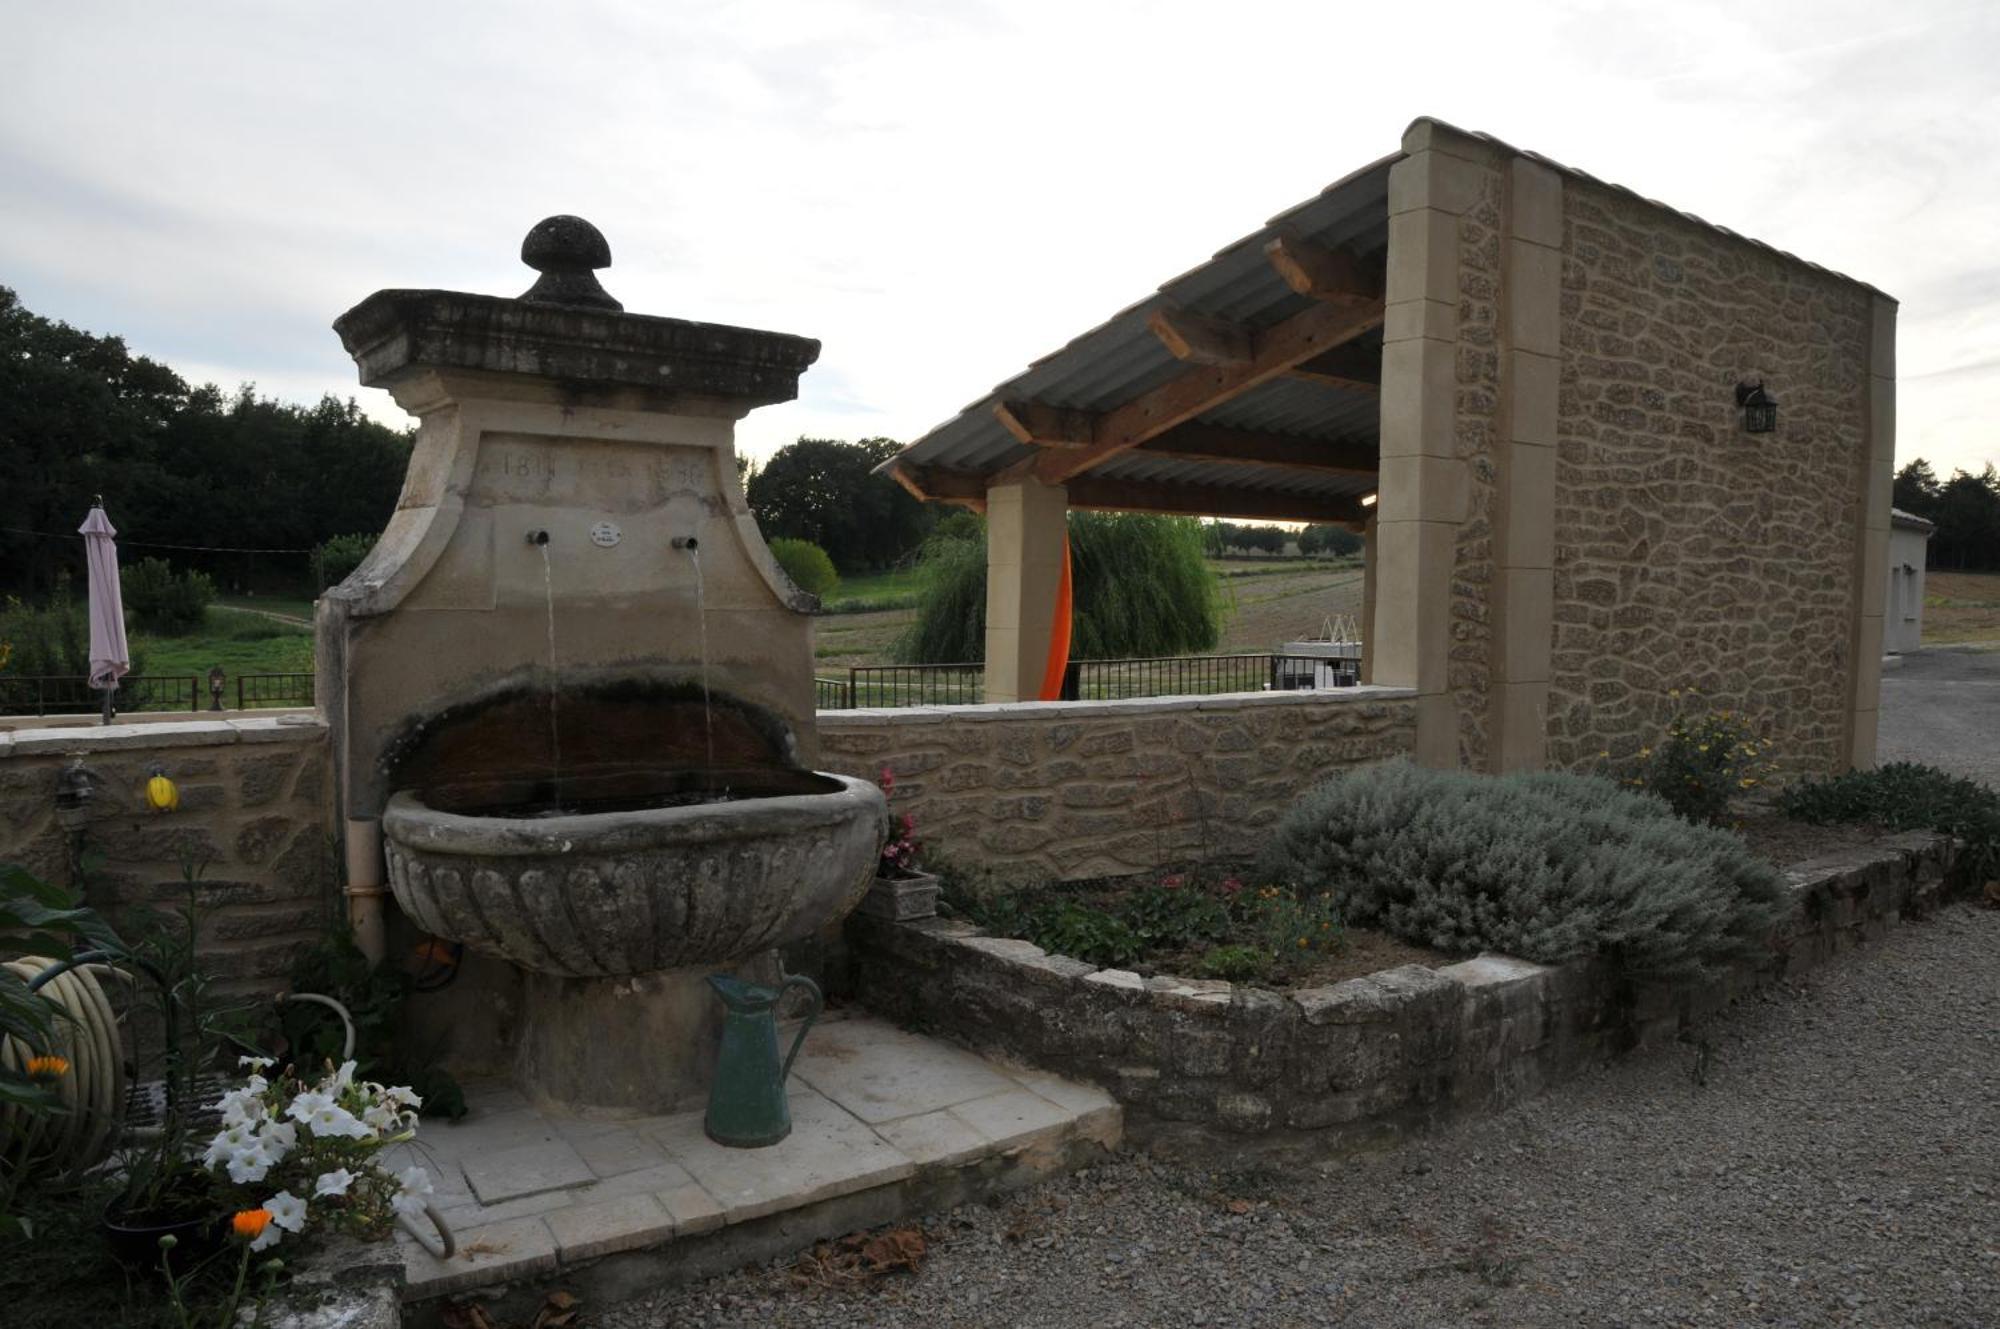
x,y
1273,351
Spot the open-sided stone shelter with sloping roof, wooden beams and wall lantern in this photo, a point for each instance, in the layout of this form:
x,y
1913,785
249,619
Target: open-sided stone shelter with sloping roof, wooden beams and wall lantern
x,y
1529,389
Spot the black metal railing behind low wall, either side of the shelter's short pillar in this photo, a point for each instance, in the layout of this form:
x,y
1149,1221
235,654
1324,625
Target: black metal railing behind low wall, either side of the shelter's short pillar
x,y
1181,676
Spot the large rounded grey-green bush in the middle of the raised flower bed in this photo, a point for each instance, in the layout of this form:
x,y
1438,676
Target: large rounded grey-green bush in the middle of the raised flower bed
x,y
1543,866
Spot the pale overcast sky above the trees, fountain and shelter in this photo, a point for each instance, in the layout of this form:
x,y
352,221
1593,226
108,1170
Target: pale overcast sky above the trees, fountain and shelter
x,y
939,193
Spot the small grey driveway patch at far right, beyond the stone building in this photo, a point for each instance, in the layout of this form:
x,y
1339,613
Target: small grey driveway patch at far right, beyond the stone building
x,y
1943,706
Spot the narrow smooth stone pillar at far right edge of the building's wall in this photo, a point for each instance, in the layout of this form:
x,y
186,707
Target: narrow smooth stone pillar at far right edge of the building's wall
x,y
1871,553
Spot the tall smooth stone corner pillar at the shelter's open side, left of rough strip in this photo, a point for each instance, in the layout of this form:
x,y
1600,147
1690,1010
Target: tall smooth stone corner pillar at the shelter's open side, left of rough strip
x,y
1423,477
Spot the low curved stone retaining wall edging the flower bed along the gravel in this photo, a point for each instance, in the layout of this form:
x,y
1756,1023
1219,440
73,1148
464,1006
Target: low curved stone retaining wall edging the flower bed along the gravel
x,y
1361,1058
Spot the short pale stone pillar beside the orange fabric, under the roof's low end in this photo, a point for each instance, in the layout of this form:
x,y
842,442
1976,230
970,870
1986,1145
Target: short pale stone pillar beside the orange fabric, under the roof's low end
x,y
1027,525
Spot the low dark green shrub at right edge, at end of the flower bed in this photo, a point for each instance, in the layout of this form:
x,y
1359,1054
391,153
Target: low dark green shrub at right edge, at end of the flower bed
x,y
1909,798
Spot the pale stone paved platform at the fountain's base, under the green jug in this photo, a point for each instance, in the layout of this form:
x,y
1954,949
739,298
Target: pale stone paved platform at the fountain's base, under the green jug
x,y
873,1108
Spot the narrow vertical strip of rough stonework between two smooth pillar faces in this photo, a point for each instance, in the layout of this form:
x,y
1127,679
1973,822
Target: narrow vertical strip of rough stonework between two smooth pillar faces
x,y
1477,423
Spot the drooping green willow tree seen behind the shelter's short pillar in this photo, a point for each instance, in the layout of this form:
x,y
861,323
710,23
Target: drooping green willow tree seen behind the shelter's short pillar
x,y
1141,585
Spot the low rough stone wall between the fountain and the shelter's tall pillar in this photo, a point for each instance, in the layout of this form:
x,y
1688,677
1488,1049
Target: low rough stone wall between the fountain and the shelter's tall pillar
x,y
1093,790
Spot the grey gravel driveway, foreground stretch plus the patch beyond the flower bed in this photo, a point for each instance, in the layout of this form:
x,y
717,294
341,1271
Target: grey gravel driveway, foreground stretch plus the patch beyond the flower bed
x,y
1839,1168
